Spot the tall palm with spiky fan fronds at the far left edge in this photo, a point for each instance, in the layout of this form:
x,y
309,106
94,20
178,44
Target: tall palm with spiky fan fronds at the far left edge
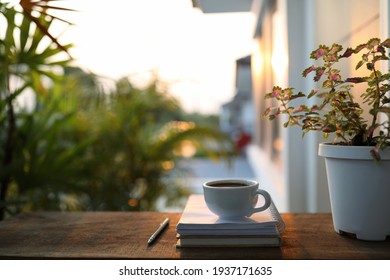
x,y
25,59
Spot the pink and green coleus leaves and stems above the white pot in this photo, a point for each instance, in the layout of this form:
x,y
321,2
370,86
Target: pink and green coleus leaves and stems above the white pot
x,y
338,113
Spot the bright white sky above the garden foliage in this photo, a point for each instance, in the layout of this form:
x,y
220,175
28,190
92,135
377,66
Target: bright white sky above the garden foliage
x,y
194,52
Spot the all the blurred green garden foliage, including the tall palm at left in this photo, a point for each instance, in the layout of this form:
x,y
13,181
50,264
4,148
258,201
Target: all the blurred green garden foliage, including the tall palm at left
x,y
79,147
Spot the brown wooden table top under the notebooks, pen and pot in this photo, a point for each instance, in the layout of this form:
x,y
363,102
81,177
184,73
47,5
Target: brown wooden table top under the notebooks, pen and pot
x,y
124,235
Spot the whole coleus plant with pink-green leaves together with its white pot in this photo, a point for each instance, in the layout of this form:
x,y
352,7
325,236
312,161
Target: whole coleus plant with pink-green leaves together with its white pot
x,y
358,158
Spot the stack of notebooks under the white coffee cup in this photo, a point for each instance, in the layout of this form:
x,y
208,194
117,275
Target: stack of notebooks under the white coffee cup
x,y
198,227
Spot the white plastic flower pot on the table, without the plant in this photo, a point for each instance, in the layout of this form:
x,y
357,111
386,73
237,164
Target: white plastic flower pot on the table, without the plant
x,y
359,189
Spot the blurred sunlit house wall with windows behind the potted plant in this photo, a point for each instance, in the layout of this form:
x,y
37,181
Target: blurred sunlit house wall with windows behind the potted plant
x,y
295,174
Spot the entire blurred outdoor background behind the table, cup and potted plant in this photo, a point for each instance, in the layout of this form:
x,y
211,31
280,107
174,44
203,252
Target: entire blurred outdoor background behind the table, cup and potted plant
x,y
131,105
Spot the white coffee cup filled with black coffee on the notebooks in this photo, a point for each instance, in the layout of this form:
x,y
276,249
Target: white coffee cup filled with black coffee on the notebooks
x,y
234,198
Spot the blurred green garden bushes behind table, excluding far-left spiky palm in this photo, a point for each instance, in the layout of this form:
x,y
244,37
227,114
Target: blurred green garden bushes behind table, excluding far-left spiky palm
x,y
120,152
